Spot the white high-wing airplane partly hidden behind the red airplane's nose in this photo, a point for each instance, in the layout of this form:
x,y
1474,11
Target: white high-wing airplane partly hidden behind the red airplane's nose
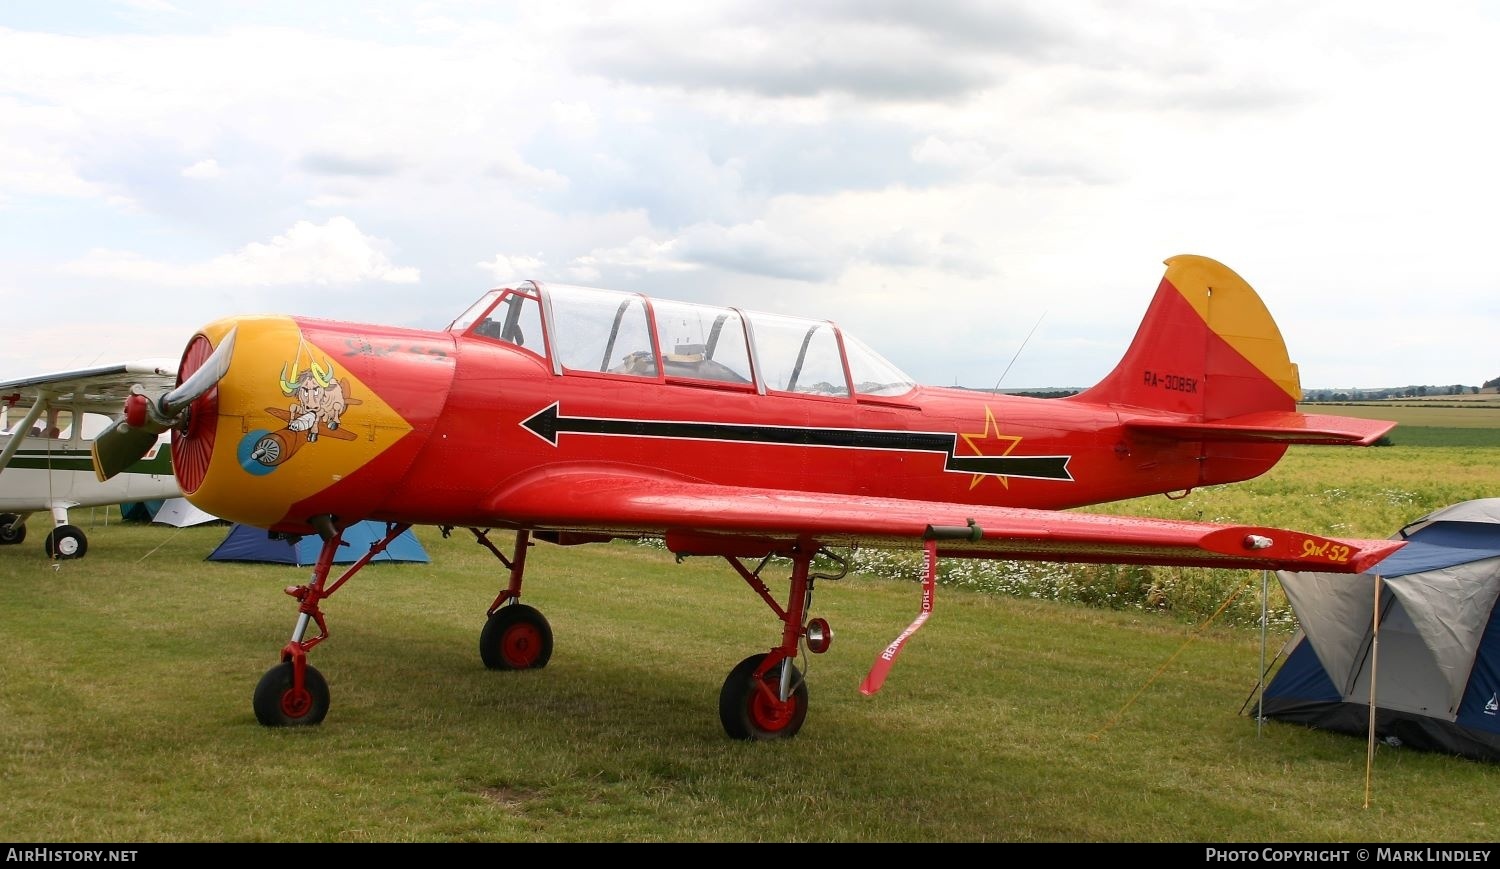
x,y
46,460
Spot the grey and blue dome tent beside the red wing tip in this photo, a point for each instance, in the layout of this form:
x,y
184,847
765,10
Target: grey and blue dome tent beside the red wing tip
x,y
1436,655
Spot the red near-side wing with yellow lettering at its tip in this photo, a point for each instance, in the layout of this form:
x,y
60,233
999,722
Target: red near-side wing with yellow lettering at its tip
x,y
700,519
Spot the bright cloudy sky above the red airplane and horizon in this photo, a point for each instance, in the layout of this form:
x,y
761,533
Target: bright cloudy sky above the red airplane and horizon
x,y
983,191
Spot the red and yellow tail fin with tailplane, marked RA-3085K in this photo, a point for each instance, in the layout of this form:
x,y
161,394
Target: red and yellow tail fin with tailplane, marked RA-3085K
x,y
1210,352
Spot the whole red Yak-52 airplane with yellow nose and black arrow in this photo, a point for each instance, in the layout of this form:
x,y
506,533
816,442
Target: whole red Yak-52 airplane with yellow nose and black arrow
x,y
574,415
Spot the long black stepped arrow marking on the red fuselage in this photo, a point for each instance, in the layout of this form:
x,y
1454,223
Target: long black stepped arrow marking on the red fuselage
x,y
548,425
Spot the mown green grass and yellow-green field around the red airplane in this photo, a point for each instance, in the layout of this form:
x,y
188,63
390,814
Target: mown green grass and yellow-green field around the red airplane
x,y
125,700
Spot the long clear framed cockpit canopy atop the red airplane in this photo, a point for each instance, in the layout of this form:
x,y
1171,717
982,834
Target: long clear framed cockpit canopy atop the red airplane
x,y
581,329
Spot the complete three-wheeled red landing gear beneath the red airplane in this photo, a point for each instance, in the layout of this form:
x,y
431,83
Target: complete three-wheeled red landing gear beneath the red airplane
x,y
764,697
